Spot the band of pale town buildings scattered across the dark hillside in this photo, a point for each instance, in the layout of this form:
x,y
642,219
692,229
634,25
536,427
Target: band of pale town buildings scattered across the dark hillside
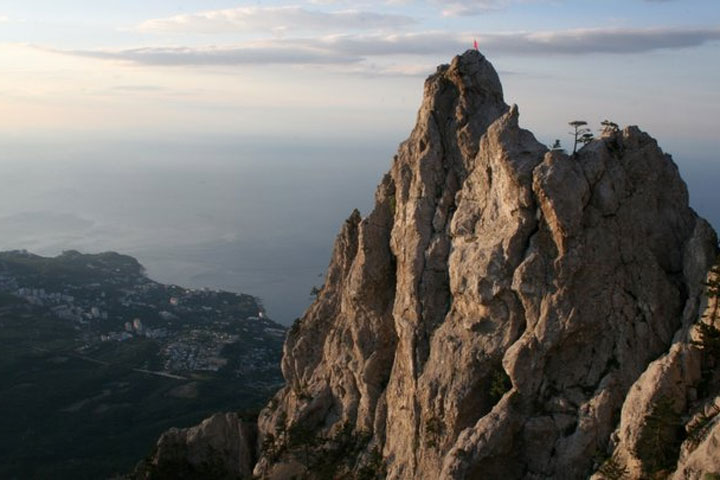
x,y
194,346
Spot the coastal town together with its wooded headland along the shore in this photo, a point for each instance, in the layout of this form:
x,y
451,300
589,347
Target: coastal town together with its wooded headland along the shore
x,y
108,298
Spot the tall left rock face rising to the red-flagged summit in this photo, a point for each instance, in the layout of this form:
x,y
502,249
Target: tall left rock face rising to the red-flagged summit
x,y
387,287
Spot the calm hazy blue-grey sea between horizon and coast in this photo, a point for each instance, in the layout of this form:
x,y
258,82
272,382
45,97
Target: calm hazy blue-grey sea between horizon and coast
x,y
256,216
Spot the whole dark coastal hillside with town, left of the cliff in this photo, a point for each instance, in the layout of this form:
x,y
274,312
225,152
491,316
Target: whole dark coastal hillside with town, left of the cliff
x,y
96,357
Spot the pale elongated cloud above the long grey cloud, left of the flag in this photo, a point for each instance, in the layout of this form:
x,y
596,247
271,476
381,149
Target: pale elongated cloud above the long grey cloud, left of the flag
x,y
276,19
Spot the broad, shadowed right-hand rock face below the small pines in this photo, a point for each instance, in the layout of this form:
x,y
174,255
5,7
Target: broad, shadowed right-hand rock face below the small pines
x,y
614,269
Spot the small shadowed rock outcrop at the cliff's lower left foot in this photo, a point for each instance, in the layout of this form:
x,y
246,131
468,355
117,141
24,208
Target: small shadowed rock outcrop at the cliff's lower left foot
x,y
221,447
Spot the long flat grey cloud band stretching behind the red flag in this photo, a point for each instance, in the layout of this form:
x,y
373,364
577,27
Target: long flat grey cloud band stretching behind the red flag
x,y
353,49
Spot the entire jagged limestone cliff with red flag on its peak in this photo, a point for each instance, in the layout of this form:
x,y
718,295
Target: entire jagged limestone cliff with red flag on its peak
x,y
504,312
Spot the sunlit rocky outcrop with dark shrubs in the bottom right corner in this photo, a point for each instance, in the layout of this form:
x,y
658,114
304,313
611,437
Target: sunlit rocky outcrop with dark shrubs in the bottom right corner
x,y
671,417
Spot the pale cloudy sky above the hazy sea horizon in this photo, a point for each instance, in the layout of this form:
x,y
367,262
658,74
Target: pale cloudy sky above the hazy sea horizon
x,y
320,68
